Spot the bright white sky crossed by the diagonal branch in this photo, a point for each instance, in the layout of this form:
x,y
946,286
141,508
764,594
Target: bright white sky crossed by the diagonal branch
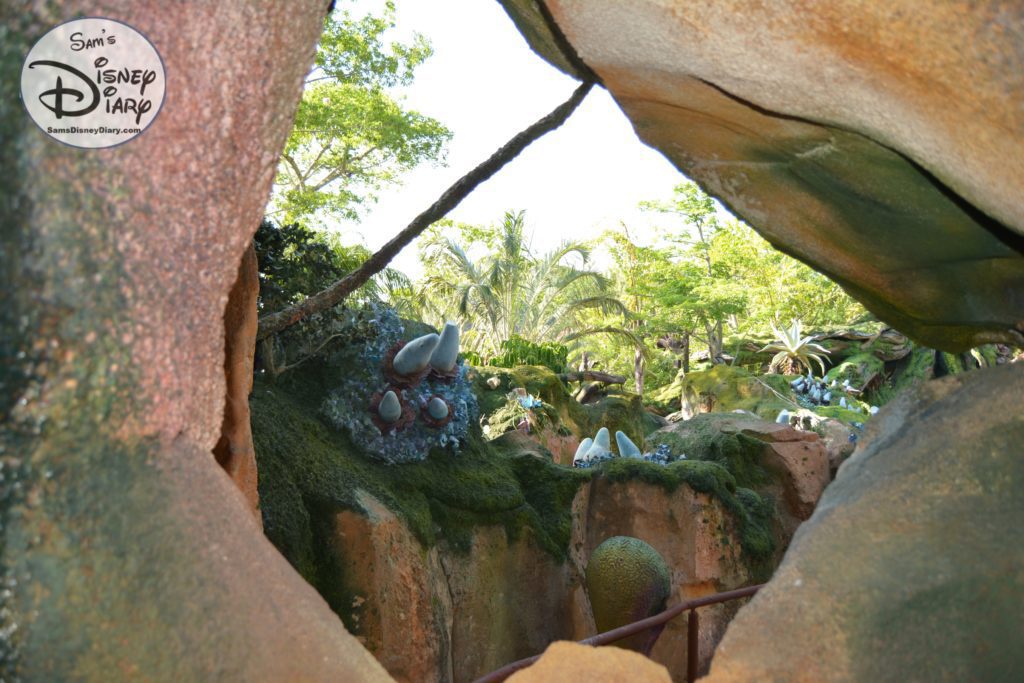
x,y
486,84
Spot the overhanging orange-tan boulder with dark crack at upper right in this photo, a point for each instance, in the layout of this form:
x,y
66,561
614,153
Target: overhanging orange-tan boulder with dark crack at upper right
x,y
859,138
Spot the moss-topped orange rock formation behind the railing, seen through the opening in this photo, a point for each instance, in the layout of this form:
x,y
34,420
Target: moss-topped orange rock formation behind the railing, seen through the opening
x,y
454,567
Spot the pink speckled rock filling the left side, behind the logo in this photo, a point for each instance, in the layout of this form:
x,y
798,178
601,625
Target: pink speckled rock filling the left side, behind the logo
x,y
129,553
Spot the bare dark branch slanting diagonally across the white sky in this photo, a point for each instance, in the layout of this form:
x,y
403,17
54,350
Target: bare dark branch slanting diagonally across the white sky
x,y
275,323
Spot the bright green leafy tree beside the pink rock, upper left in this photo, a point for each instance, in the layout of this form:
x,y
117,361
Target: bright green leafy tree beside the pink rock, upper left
x,y
352,137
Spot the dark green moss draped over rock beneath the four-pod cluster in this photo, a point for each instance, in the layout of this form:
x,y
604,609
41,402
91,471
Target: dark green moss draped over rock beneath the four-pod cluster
x,y
310,471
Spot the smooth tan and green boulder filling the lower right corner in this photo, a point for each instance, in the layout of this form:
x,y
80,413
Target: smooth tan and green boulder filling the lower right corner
x,y
913,566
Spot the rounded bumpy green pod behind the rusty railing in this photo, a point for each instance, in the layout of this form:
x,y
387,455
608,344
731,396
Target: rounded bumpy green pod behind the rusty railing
x,y
627,581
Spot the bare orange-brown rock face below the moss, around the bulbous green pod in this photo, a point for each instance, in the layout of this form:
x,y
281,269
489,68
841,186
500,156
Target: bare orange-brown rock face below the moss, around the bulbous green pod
x,y
442,615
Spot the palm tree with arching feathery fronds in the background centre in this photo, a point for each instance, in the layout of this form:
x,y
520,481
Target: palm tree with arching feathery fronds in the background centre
x,y
513,292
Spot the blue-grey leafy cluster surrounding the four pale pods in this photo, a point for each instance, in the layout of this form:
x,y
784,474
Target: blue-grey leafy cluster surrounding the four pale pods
x,y
348,407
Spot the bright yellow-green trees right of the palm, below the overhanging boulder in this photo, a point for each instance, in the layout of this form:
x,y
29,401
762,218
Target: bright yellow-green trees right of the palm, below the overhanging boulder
x,y
708,279
